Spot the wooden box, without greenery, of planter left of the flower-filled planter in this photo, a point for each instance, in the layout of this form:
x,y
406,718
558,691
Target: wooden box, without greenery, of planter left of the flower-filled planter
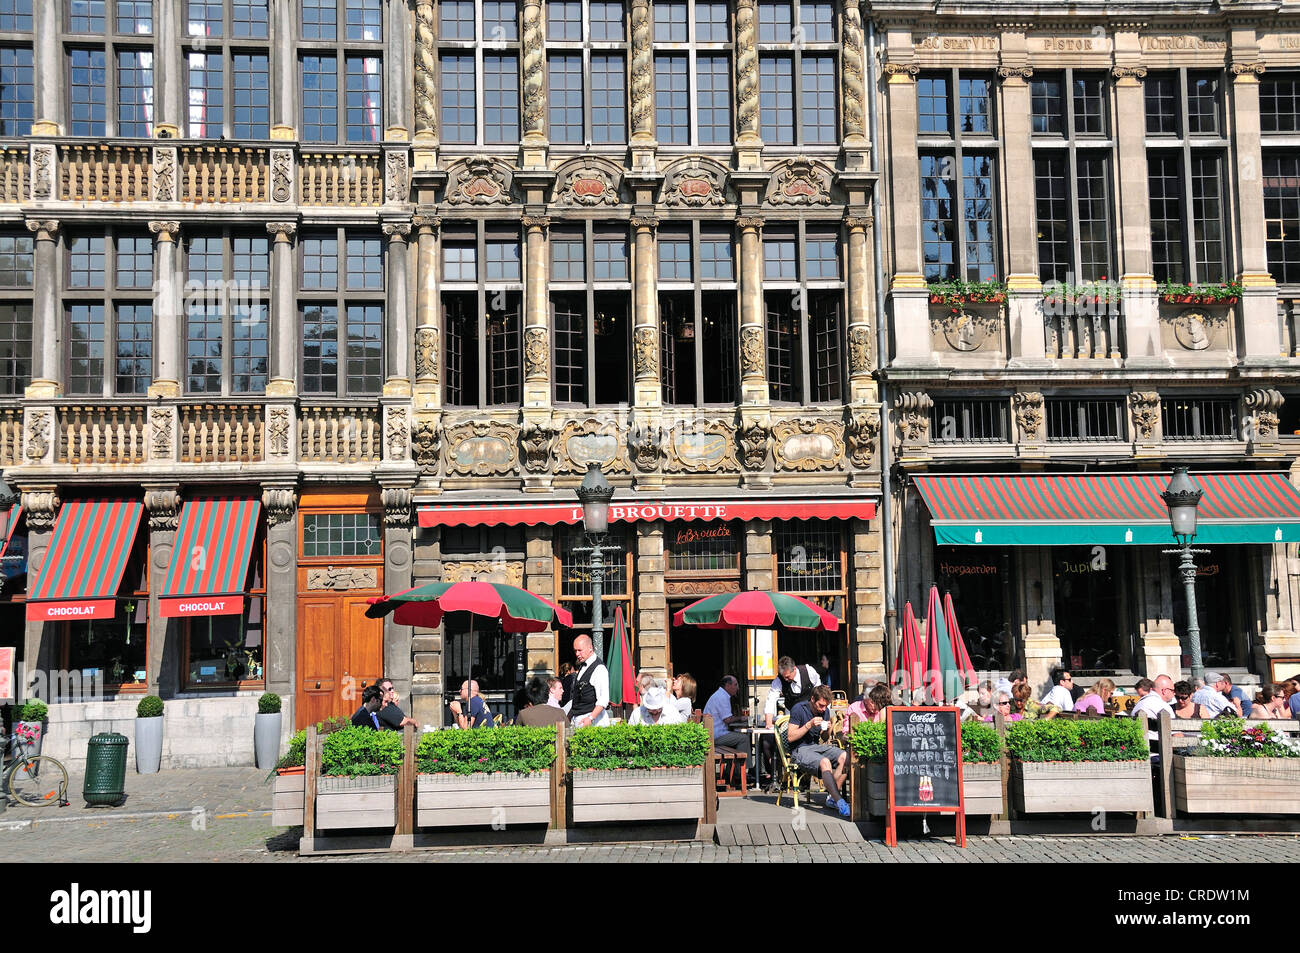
x,y
1082,787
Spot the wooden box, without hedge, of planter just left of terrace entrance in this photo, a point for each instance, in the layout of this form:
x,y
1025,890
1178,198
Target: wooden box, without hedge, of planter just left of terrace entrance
x,y
673,794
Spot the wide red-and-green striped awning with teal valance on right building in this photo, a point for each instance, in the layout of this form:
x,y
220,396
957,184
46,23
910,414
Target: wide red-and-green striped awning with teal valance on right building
x,y
1110,510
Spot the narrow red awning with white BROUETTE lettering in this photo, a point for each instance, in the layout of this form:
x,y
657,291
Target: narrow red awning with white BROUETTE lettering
x,y
571,514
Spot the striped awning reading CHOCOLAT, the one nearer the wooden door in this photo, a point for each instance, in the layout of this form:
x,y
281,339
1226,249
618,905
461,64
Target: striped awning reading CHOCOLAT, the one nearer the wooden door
x,y
210,564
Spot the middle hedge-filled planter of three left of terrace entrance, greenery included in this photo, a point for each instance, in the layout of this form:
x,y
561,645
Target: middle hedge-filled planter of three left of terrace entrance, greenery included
x,y
486,777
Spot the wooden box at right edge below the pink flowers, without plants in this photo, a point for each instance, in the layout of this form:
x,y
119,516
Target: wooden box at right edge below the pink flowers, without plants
x,y
1237,786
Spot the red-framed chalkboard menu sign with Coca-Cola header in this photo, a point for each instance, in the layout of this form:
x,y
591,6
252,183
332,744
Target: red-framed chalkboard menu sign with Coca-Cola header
x,y
925,766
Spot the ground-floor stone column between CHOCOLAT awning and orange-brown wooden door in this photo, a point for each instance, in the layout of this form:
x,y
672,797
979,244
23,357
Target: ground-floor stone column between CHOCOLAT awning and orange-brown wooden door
x,y
280,610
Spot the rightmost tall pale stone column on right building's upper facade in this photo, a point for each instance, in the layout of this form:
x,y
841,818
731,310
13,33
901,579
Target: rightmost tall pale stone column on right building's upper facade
x,y
1262,341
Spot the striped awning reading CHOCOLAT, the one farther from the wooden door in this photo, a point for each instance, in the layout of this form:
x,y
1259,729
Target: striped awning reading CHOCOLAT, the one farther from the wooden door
x,y
84,566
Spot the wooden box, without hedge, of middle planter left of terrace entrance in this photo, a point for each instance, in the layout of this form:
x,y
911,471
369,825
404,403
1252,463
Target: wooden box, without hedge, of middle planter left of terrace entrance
x,y
483,800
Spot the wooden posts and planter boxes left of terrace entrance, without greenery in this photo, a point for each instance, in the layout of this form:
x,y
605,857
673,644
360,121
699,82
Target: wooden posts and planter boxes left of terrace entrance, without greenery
x,y
410,811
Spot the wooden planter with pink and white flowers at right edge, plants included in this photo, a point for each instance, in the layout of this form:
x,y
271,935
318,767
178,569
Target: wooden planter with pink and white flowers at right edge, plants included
x,y
1238,768
